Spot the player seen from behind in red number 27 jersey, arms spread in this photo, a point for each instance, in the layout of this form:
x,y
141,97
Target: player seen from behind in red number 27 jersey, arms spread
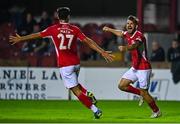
x,y
64,36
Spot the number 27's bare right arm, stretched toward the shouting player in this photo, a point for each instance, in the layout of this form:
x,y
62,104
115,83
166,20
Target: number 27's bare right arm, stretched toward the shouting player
x,y
106,54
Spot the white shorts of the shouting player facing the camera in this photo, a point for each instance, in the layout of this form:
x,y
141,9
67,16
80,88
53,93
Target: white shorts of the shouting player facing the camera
x,y
142,76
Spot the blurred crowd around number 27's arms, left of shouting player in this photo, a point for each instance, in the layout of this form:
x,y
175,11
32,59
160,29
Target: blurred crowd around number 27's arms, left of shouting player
x,y
25,24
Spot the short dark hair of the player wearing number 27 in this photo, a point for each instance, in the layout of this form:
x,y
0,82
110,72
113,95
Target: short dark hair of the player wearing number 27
x,y
63,12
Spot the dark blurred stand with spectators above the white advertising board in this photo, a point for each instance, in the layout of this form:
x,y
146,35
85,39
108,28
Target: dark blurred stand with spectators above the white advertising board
x,y
159,21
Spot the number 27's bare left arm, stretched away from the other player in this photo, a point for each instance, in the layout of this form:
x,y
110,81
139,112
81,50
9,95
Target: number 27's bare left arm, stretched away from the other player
x,y
18,38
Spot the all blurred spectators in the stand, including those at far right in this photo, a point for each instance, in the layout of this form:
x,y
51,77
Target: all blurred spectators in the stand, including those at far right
x,y
26,23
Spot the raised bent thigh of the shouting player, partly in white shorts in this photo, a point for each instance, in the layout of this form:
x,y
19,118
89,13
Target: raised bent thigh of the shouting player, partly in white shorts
x,y
128,77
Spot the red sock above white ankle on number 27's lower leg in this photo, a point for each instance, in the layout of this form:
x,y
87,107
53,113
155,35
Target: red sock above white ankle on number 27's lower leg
x,y
85,100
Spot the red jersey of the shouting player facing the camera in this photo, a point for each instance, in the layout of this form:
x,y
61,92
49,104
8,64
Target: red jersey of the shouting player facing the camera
x,y
138,55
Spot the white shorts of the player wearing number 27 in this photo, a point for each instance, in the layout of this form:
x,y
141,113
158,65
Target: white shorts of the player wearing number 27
x,y
69,75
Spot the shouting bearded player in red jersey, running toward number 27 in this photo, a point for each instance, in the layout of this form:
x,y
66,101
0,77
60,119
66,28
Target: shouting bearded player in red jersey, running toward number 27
x,y
141,68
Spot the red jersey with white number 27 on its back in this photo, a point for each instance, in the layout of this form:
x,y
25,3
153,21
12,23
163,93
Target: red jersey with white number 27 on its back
x,y
64,36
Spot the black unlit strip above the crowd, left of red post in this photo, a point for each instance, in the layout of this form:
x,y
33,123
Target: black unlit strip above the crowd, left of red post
x,y
78,7
